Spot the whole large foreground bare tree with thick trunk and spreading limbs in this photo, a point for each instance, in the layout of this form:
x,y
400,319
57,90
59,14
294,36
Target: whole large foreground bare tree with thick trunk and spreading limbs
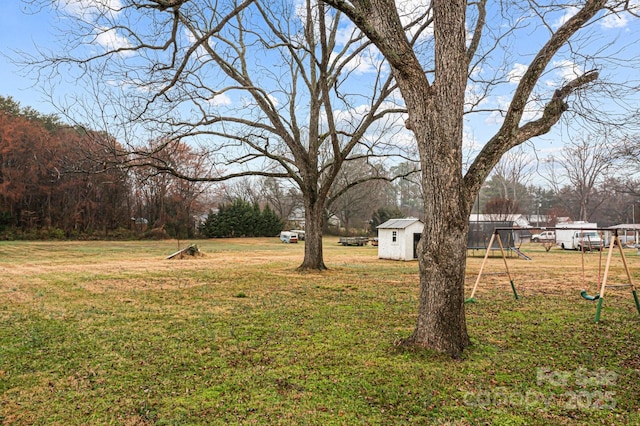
x,y
433,75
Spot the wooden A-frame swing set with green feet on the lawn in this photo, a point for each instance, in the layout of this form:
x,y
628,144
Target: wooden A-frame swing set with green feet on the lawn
x,y
603,283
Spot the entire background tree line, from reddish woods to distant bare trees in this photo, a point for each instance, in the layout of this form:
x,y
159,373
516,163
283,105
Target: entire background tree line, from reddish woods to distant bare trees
x,y
58,181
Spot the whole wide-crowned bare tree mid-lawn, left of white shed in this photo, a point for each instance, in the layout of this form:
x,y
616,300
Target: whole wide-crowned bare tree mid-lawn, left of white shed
x,y
270,89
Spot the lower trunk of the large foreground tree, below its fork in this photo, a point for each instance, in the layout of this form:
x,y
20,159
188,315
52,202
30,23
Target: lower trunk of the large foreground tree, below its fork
x,y
441,323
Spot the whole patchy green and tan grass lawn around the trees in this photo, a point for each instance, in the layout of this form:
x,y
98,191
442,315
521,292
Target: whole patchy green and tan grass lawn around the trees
x,y
113,333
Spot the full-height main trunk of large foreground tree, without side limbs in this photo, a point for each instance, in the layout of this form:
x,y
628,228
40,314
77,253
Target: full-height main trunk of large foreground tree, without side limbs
x,y
437,121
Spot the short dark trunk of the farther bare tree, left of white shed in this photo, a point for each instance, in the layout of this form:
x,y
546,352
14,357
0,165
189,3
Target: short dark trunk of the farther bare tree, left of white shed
x,y
314,221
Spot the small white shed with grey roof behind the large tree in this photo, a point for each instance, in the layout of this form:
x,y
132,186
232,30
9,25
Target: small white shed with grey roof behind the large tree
x,y
398,238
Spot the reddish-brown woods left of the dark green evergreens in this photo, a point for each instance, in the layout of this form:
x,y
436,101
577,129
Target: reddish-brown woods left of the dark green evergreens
x,y
58,181
